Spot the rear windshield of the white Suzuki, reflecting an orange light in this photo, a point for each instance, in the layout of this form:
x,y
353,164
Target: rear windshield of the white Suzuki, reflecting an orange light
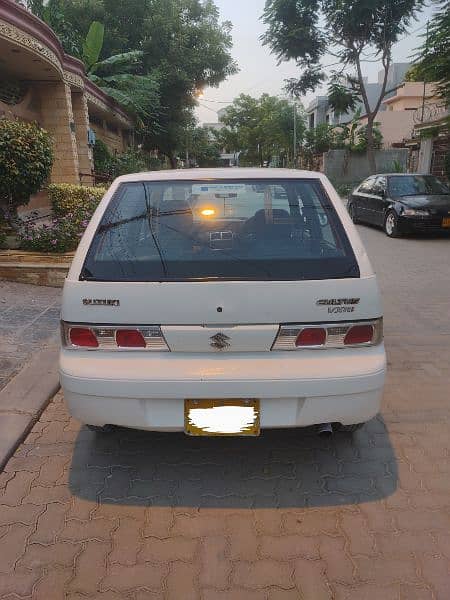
x,y
220,229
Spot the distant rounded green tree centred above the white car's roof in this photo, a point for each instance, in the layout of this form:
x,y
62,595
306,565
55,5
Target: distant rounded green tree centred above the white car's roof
x,y
261,128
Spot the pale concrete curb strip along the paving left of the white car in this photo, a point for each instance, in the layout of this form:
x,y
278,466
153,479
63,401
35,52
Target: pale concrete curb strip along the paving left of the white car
x,y
24,399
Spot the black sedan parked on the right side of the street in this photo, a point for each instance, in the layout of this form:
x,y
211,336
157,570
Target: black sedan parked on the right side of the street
x,y
402,203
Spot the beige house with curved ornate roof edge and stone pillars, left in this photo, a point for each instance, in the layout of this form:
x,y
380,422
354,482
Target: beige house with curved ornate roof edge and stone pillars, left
x,y
40,83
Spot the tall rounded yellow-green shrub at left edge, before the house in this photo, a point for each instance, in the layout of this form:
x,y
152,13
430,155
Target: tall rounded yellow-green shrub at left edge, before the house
x,y
26,158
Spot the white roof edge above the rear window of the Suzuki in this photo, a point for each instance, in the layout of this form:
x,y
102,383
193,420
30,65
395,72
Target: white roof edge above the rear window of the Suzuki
x,y
224,173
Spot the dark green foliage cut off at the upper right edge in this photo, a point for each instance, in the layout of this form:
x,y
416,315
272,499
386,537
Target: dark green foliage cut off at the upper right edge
x,y
433,61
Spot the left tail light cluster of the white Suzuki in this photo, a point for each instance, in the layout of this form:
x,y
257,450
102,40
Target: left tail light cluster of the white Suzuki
x,y
89,337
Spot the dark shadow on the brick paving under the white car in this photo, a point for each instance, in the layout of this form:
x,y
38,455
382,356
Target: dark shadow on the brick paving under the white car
x,y
279,469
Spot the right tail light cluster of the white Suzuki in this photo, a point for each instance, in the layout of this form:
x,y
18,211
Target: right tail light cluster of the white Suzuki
x,y
330,335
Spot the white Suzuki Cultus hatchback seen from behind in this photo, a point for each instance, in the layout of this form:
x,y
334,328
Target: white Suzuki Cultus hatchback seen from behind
x,y
220,302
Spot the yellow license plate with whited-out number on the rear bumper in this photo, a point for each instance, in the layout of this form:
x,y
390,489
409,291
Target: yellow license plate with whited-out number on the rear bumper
x,y
222,417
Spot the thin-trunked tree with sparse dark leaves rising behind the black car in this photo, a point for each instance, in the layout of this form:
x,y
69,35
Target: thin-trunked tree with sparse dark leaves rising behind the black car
x,y
306,30
